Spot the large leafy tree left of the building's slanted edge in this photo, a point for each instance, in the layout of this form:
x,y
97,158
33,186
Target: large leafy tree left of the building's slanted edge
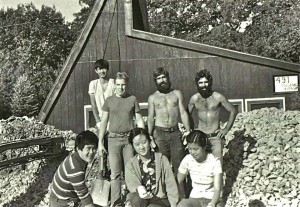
x,y
33,42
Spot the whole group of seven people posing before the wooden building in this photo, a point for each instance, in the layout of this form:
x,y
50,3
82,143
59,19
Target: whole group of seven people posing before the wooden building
x,y
154,157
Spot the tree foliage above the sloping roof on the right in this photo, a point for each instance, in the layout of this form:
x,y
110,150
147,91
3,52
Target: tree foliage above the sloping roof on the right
x,y
268,28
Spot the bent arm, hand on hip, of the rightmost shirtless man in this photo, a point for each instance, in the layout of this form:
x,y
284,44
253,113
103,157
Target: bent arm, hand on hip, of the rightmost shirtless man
x,y
230,108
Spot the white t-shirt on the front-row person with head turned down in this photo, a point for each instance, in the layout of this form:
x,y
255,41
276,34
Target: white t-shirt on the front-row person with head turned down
x,y
202,174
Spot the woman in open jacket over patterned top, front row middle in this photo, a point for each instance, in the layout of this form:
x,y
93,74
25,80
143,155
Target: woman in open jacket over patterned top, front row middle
x,y
148,175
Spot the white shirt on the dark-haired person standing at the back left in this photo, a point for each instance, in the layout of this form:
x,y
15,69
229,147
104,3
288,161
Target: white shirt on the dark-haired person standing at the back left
x,y
100,95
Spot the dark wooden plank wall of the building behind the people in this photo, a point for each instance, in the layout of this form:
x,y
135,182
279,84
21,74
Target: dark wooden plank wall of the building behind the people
x,y
138,57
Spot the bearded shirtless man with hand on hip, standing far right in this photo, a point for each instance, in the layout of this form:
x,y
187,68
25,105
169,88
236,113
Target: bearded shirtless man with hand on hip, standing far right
x,y
208,104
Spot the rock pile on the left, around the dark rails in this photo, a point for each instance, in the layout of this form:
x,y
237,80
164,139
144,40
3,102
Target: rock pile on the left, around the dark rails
x,y
27,185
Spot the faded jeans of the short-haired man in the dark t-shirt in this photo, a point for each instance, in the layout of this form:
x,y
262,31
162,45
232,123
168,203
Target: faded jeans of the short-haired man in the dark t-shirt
x,y
119,153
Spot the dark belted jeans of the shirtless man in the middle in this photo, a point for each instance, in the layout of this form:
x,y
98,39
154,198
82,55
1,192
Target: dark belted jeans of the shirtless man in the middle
x,y
170,144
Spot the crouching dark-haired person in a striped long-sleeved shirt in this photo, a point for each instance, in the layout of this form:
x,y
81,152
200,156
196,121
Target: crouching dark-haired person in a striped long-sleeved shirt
x,y
68,184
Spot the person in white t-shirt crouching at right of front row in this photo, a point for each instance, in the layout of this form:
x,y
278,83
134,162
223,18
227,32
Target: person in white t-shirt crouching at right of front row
x,y
205,172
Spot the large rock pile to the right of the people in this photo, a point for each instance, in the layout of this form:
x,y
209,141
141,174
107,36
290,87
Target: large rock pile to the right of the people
x,y
261,159
